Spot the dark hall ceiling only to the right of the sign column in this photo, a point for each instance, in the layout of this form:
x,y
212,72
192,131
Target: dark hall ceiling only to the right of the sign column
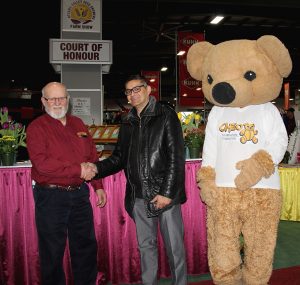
x,y
144,33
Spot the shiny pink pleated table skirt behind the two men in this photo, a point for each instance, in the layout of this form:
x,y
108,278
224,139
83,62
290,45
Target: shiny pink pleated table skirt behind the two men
x,y
118,257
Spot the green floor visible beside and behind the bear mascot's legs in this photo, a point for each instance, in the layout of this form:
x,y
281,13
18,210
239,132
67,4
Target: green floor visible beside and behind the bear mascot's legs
x,y
287,252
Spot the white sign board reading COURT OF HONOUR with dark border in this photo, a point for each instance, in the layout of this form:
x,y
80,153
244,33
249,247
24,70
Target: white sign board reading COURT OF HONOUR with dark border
x,y
80,51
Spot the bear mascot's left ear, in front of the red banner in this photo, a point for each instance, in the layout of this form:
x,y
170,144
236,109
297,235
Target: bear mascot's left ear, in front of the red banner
x,y
195,58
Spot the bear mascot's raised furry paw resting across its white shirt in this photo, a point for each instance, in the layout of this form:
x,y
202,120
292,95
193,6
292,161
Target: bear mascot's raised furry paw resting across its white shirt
x,y
253,169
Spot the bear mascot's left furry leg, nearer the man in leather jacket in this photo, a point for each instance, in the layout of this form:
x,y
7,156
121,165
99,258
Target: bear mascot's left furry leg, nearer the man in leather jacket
x,y
223,230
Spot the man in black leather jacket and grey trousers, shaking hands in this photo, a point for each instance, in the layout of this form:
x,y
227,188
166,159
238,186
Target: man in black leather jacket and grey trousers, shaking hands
x,y
150,149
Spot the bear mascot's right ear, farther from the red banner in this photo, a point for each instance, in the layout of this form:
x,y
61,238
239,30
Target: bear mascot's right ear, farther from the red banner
x,y
277,52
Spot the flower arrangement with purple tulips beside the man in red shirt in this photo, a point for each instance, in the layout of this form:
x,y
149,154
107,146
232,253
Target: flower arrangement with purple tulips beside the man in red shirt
x,y
12,134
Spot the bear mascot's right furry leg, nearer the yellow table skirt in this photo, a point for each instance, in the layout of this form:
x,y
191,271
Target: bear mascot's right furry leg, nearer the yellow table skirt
x,y
261,218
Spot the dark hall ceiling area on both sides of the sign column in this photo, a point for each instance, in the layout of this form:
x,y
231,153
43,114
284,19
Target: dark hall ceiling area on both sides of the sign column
x,y
143,33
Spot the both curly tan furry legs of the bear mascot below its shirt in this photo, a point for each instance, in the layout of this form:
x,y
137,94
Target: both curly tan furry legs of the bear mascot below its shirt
x,y
235,212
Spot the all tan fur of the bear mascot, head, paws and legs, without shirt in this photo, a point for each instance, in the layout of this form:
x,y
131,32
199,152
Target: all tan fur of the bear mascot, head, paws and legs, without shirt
x,y
245,210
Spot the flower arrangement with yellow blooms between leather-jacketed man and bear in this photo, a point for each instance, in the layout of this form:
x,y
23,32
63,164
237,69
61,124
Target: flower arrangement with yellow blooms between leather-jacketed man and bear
x,y
193,129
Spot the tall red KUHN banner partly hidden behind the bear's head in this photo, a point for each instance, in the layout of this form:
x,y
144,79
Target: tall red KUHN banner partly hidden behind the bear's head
x,y
190,93
